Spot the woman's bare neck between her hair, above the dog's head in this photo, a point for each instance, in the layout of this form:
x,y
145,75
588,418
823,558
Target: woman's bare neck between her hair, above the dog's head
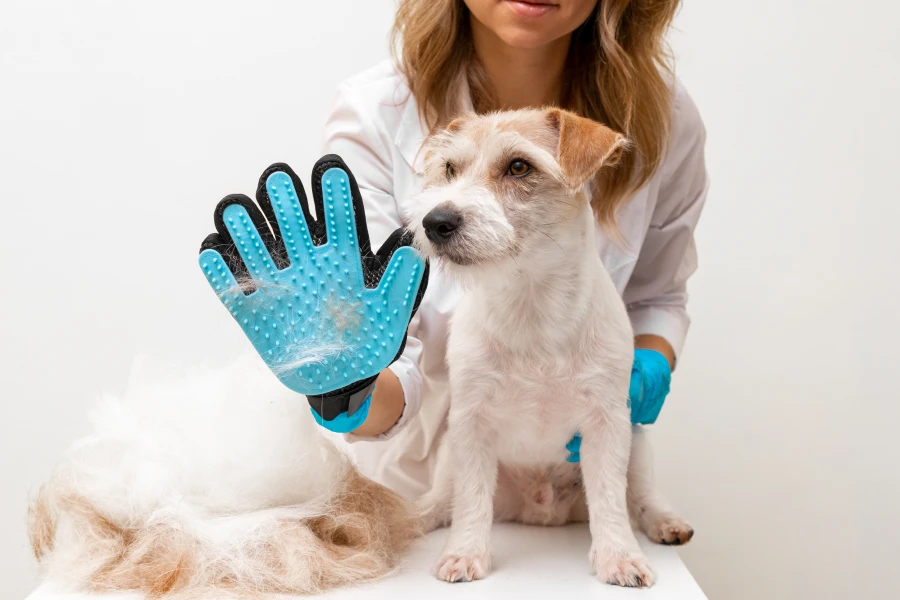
x,y
520,77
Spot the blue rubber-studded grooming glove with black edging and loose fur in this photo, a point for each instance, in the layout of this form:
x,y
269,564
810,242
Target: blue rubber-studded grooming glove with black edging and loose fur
x,y
324,312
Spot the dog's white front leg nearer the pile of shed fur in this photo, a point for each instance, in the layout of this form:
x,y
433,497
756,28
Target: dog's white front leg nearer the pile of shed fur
x,y
466,555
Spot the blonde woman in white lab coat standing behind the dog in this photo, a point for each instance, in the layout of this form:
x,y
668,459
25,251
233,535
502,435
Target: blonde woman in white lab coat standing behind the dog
x,y
604,60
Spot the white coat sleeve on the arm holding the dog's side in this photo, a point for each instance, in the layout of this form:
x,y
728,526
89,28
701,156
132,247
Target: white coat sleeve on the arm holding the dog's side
x,y
656,293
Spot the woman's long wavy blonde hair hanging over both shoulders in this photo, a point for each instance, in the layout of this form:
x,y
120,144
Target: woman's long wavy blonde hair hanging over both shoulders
x,y
616,74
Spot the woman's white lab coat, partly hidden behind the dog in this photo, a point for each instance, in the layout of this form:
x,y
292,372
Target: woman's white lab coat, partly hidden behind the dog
x,y
375,128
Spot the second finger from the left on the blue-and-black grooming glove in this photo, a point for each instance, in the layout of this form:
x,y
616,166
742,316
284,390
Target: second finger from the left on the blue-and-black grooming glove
x,y
240,221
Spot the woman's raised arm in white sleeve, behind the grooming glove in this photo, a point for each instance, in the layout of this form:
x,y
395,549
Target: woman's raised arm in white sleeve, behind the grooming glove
x,y
351,133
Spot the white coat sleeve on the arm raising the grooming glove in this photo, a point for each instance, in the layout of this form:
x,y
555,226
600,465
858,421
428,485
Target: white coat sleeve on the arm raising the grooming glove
x,y
351,133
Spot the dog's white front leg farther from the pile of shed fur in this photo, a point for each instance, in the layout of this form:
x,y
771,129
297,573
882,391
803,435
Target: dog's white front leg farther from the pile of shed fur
x,y
615,555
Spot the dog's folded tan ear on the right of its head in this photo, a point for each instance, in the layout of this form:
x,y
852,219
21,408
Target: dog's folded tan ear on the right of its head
x,y
585,146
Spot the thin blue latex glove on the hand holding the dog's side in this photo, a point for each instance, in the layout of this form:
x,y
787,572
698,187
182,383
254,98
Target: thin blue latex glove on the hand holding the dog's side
x,y
650,380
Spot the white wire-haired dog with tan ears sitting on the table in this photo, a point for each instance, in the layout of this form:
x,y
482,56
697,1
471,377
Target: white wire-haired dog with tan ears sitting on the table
x,y
540,346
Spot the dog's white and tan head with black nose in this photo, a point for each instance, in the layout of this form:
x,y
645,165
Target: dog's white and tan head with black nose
x,y
498,186
